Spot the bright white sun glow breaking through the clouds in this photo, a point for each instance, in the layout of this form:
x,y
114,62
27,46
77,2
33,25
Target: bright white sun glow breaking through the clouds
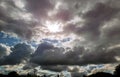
x,y
53,27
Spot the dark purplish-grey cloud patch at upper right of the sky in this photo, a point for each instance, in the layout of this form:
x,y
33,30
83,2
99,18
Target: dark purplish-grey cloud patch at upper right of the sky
x,y
96,17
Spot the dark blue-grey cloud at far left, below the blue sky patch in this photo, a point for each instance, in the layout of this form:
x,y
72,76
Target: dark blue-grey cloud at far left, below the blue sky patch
x,y
20,53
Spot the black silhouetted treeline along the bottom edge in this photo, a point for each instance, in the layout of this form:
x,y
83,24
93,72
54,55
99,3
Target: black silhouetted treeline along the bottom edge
x,y
98,74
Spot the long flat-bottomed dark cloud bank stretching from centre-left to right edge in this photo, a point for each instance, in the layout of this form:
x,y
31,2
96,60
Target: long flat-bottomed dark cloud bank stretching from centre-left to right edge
x,y
76,56
